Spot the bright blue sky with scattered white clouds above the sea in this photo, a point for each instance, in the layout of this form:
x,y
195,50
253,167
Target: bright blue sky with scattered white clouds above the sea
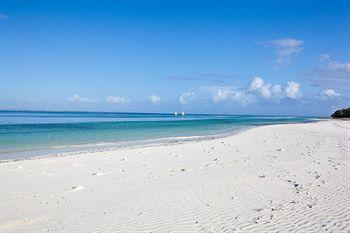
x,y
227,57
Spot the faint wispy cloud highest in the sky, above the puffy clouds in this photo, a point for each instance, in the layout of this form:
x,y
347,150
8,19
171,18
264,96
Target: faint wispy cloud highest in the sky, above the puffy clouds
x,y
286,49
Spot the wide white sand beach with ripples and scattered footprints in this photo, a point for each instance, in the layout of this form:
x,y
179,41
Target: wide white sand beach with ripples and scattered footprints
x,y
273,178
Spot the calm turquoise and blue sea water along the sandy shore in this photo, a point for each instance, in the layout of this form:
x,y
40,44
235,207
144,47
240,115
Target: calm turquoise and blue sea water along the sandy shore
x,y
29,133
